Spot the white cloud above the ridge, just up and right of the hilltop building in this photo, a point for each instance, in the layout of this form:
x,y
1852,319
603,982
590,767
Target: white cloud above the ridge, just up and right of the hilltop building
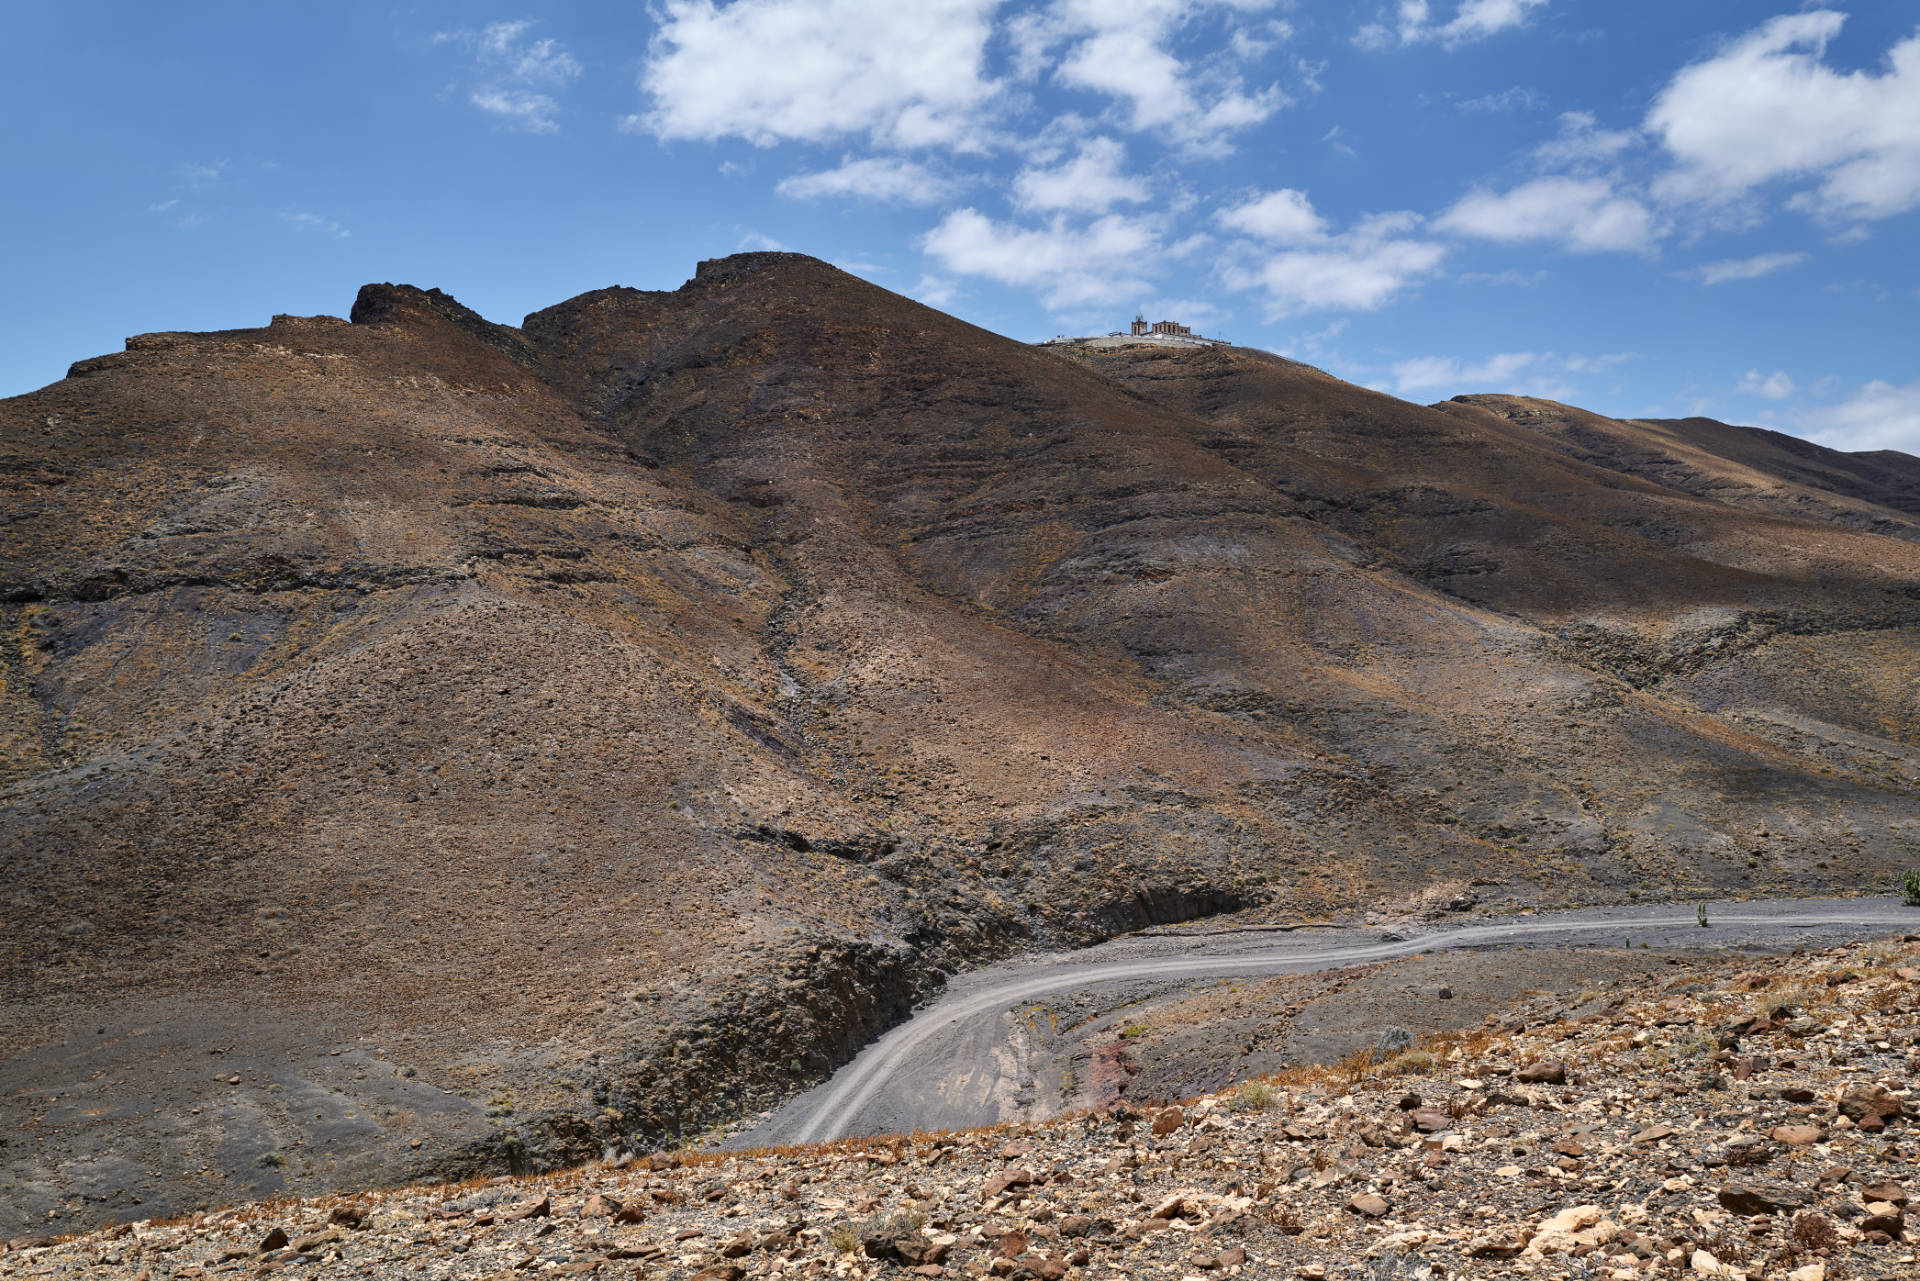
x,y
1358,270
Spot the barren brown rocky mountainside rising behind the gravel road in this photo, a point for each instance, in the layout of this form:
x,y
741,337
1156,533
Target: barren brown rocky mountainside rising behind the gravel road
x,y
617,719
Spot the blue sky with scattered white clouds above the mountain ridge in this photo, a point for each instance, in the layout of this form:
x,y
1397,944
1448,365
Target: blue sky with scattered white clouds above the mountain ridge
x,y
1639,208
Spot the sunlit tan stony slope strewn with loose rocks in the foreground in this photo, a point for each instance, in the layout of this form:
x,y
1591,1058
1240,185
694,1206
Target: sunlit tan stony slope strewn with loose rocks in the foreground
x,y
1737,1123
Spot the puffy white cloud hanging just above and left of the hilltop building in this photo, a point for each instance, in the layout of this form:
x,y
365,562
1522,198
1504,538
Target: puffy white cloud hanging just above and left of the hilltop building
x,y
1105,262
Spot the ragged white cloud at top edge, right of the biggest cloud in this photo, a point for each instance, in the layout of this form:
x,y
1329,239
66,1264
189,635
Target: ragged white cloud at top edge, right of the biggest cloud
x,y
1124,51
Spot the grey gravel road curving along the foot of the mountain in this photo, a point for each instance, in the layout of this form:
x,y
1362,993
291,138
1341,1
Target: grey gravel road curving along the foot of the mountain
x,y
953,1065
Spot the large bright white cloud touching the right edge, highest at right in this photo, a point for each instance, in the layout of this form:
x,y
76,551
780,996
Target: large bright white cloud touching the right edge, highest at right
x,y
1767,109
